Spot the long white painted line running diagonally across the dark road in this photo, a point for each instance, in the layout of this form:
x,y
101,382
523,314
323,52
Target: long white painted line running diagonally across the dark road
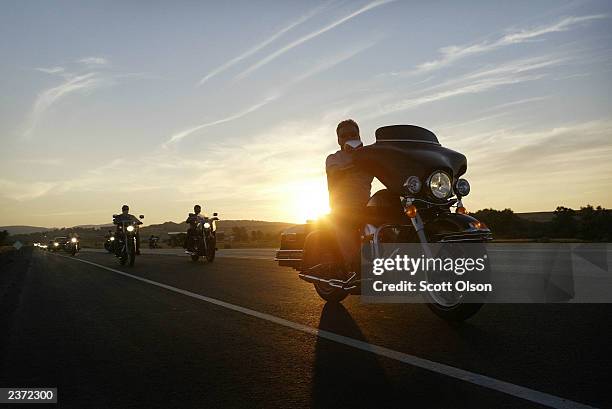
x,y
457,373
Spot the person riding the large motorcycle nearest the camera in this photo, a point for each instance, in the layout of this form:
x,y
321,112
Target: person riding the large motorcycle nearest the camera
x,y
349,190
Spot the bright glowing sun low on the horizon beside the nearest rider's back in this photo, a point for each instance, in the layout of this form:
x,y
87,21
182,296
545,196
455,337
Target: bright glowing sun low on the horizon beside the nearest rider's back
x,y
310,199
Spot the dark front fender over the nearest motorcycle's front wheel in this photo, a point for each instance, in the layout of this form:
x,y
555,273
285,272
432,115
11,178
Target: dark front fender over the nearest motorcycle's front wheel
x,y
456,227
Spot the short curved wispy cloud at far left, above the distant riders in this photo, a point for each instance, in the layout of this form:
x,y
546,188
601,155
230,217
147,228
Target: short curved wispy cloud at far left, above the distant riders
x,y
47,98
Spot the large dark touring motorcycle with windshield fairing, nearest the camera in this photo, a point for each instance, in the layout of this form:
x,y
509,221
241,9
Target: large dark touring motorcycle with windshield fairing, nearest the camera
x,y
422,183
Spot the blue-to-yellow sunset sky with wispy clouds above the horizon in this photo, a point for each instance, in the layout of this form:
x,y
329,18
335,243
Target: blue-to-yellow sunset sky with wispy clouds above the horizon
x,y
233,105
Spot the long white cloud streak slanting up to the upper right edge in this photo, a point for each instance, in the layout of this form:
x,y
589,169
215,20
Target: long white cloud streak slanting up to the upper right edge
x,y
454,53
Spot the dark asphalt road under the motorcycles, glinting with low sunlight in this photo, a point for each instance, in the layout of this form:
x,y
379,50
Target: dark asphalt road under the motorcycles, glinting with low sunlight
x,y
242,332
